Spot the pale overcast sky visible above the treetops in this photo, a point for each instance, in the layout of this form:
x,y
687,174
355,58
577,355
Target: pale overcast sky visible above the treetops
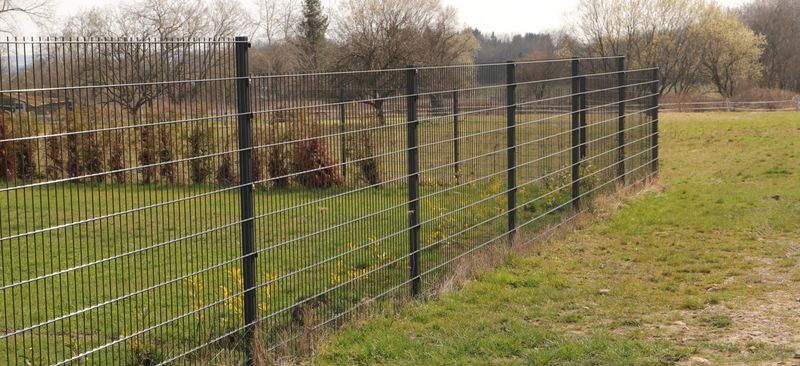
x,y
501,16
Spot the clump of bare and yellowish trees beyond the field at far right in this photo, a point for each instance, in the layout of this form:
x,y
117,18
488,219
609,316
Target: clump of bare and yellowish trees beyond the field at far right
x,y
695,43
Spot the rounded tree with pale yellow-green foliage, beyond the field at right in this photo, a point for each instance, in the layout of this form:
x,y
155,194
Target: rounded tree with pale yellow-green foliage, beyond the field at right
x,y
731,51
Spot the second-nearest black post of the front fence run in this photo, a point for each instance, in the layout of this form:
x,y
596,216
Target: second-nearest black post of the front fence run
x,y
412,141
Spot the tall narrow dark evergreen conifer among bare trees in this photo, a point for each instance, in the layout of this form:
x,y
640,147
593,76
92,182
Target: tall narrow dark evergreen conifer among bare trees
x,y
312,34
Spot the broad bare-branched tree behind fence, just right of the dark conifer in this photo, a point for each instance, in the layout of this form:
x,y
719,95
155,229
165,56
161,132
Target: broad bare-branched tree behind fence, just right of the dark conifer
x,y
384,34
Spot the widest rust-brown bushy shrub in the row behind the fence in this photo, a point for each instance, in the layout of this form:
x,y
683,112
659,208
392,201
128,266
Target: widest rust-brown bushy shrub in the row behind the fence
x,y
311,157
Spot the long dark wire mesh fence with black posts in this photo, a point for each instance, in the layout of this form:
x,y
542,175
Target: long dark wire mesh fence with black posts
x,y
161,204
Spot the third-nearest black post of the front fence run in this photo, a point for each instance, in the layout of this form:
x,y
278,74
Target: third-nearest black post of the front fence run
x,y
511,140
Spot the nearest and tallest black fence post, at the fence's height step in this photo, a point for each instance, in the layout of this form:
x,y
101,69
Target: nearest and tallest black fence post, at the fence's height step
x,y
246,191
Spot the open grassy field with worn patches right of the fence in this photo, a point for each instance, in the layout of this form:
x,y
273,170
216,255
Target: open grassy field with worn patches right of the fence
x,y
703,268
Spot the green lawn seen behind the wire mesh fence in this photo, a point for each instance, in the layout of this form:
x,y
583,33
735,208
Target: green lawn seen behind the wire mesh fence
x,y
111,261
